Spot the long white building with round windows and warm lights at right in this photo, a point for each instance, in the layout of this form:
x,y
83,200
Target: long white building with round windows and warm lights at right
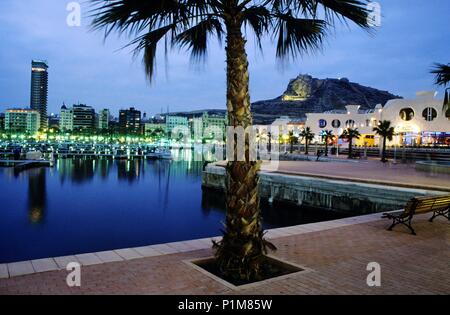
x,y
419,121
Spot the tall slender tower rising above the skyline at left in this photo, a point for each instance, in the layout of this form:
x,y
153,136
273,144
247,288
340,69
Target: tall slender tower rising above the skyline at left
x,y
39,89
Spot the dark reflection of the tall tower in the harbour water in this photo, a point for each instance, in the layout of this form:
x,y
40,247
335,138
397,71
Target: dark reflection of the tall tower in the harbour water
x,y
37,194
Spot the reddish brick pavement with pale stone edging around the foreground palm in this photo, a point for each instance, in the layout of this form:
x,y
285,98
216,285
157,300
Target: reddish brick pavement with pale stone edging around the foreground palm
x,y
337,252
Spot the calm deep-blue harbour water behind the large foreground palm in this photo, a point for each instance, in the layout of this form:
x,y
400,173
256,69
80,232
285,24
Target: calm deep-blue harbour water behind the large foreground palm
x,y
86,205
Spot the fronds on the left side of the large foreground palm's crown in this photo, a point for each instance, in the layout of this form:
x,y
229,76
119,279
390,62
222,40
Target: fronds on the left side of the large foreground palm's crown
x,y
151,21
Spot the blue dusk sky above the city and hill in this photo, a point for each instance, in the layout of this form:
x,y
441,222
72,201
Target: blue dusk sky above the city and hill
x,y
413,35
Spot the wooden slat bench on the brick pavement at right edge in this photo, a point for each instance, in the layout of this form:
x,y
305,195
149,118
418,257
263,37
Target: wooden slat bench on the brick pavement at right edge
x,y
439,205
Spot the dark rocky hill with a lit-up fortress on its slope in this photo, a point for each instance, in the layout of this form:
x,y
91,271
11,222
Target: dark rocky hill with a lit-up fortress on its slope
x,y
306,94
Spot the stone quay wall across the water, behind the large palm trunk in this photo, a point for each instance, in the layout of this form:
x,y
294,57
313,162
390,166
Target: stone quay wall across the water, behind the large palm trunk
x,y
338,195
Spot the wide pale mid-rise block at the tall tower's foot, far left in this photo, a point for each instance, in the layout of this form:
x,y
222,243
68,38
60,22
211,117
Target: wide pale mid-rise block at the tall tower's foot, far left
x,y
22,120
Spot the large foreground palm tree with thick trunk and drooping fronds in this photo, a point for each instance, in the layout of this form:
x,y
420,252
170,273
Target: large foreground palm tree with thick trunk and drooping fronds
x,y
298,26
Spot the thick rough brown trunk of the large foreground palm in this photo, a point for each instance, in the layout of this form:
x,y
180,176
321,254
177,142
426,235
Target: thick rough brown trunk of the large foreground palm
x,y
240,253
